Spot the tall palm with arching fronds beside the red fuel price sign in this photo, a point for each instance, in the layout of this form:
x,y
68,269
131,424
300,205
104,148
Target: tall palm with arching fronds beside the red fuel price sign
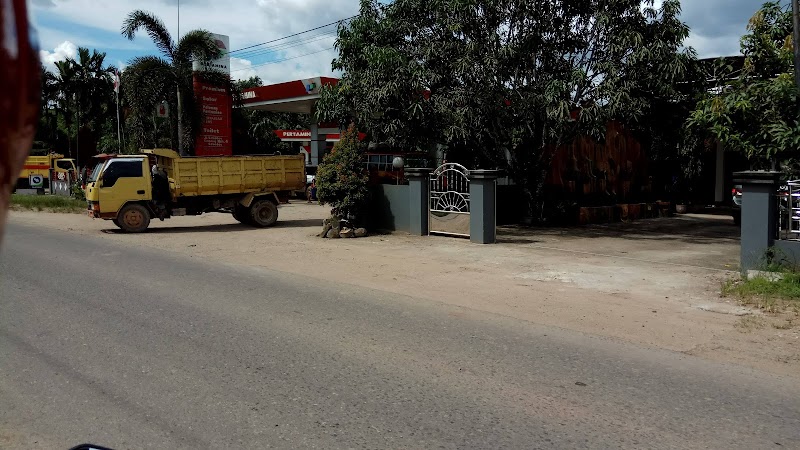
x,y
172,72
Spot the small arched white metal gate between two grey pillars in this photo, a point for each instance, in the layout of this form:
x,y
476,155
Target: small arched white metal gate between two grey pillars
x,y
449,202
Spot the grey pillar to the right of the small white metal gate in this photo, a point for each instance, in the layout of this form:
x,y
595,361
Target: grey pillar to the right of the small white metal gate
x,y
483,206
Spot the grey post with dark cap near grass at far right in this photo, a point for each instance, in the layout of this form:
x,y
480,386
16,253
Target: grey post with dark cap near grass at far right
x,y
759,215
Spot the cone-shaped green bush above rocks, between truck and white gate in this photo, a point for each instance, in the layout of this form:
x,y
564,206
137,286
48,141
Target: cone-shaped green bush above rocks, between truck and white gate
x,y
342,178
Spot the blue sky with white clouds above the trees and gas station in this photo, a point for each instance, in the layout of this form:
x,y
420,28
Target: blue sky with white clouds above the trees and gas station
x,y
65,25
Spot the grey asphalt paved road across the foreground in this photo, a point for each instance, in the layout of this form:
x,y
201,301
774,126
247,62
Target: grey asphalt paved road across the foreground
x,y
134,348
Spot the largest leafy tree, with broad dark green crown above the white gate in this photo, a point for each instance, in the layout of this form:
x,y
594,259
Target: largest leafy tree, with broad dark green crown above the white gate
x,y
499,82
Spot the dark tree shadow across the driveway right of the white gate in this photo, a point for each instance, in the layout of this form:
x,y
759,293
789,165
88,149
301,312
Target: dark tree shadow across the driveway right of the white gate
x,y
687,229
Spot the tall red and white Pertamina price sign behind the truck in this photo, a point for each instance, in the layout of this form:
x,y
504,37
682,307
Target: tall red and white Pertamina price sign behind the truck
x,y
215,135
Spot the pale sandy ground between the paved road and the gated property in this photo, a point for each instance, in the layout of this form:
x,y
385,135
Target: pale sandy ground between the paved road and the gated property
x,y
654,283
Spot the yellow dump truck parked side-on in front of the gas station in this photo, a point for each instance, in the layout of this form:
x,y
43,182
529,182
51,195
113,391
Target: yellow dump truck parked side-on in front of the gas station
x,y
132,190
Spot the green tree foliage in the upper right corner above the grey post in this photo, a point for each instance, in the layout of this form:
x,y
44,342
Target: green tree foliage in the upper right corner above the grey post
x,y
756,112
